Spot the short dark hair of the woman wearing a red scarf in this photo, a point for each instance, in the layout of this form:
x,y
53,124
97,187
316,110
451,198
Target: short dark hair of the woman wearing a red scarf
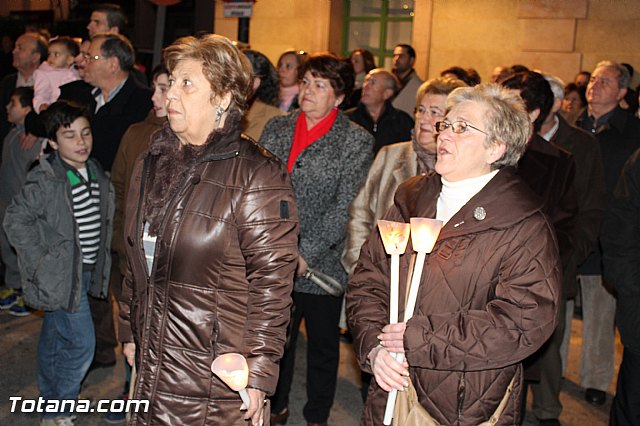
x,y
327,65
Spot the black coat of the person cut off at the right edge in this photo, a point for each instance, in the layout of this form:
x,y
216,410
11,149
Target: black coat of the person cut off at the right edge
x,y
621,246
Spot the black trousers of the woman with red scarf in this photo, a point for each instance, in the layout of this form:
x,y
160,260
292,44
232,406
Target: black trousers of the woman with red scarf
x,y
321,315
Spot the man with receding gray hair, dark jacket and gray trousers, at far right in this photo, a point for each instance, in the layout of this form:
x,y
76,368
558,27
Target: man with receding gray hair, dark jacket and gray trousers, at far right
x,y
619,135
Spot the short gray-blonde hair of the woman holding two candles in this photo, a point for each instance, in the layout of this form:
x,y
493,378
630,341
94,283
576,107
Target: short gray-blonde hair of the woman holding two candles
x,y
506,120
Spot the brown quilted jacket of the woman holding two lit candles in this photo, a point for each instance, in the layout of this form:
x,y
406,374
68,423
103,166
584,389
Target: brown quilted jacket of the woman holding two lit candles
x,y
488,299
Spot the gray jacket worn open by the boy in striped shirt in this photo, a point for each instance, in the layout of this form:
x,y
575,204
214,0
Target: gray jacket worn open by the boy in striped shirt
x,y
41,227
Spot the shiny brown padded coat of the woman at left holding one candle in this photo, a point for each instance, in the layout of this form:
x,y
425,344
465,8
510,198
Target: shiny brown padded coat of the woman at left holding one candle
x,y
221,280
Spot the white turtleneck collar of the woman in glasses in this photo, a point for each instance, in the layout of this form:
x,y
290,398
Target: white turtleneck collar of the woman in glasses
x,y
454,195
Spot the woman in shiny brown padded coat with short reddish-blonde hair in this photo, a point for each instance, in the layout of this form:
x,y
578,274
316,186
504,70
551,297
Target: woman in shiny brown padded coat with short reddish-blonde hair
x,y
211,234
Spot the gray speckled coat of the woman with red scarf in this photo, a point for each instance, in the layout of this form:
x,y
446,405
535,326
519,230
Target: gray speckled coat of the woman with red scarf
x,y
326,178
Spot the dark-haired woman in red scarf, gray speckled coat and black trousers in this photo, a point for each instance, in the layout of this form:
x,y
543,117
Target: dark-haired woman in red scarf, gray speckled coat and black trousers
x,y
328,157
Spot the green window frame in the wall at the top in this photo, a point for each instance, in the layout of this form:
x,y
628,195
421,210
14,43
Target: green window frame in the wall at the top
x,y
383,51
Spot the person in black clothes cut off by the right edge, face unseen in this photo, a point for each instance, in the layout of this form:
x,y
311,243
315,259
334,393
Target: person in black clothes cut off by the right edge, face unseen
x,y
621,247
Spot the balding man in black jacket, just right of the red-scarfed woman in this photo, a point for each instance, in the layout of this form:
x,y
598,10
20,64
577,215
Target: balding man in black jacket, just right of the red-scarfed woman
x,y
376,113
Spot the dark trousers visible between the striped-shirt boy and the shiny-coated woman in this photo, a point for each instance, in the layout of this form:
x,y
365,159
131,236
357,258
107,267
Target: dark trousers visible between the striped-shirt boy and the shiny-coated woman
x,y
102,315
